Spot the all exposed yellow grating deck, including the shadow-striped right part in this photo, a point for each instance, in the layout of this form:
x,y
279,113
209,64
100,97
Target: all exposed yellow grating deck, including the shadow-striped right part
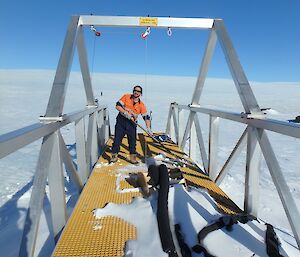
x,y
84,235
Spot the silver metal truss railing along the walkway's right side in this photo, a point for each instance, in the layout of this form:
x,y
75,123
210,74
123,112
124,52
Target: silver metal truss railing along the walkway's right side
x,y
254,138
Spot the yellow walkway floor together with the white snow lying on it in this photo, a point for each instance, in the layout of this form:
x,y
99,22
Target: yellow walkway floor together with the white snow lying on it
x,y
113,217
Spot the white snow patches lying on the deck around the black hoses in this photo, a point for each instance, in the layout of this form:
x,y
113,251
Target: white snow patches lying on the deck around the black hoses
x,y
184,208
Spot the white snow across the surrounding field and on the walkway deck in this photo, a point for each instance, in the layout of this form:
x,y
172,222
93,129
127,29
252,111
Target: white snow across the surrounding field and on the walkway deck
x,y
20,107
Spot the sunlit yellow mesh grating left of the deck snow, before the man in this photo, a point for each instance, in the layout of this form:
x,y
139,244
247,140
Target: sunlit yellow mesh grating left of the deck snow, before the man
x,y
84,235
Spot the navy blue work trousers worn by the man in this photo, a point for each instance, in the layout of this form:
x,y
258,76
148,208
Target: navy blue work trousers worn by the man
x,y
124,127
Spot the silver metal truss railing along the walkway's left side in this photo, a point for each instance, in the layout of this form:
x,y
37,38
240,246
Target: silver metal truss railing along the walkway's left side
x,y
53,154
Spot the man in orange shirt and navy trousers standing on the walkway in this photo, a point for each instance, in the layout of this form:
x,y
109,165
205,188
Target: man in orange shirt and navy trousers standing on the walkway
x,y
129,107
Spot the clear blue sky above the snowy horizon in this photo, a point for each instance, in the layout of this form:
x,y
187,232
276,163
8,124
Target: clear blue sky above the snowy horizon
x,y
265,33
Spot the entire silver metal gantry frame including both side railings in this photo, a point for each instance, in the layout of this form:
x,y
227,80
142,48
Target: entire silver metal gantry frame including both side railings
x,y
54,151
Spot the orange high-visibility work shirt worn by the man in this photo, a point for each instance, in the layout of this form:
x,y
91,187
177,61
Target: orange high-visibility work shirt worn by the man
x,y
134,108
